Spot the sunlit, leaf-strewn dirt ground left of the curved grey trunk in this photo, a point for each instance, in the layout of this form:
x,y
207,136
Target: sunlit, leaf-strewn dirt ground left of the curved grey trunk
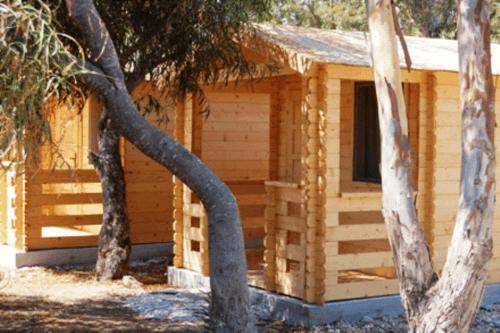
x,y
71,300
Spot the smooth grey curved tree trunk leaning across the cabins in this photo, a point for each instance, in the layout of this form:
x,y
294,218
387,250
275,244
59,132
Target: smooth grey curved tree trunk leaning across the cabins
x,y
230,308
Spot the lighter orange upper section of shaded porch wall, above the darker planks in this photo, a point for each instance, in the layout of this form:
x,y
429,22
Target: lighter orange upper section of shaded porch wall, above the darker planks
x,y
235,139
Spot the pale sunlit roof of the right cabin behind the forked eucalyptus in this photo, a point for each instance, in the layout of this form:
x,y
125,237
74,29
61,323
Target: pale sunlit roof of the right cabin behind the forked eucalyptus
x,y
311,45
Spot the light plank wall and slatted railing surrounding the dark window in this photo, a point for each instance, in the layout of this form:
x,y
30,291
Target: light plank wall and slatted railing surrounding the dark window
x,y
358,260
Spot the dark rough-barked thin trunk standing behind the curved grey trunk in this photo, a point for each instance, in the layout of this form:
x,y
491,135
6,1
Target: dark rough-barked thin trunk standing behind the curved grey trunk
x,y
114,237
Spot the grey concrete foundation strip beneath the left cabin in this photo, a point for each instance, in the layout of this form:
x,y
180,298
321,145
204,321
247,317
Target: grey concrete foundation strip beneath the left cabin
x,y
10,257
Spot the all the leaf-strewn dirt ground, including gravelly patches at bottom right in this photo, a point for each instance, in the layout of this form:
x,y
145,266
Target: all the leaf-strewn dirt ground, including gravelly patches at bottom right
x,y
69,299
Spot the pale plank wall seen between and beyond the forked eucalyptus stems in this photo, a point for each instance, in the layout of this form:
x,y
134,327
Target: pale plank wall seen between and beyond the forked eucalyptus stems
x,y
446,182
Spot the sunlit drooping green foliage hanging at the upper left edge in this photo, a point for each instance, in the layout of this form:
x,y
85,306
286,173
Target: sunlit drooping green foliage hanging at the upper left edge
x,y
30,77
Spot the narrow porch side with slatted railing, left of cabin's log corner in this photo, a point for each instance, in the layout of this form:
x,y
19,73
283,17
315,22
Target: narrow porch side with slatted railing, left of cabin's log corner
x,y
286,239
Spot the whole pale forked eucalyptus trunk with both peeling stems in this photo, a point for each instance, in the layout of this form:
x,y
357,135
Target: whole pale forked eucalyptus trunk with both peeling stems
x,y
447,304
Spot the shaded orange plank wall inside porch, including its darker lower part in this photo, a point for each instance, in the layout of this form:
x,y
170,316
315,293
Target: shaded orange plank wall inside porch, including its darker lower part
x,y
236,144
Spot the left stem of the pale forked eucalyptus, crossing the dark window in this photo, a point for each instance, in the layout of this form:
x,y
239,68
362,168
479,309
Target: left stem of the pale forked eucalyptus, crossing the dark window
x,y
410,250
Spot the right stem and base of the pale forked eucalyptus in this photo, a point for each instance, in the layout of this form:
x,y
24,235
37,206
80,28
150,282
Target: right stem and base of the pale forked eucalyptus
x,y
456,297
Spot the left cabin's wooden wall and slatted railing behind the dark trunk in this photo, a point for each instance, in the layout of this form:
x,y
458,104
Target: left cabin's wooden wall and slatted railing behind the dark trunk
x,y
63,204
